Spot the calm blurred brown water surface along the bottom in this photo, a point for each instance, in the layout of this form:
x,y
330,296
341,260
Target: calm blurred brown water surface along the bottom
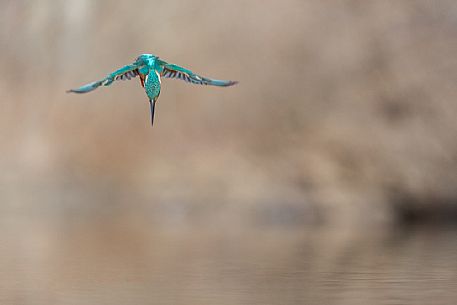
x,y
116,259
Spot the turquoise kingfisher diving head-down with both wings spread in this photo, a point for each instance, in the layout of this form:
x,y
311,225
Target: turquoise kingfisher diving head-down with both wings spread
x,y
151,69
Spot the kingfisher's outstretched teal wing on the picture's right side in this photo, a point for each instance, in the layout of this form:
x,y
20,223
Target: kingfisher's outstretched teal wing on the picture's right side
x,y
175,71
